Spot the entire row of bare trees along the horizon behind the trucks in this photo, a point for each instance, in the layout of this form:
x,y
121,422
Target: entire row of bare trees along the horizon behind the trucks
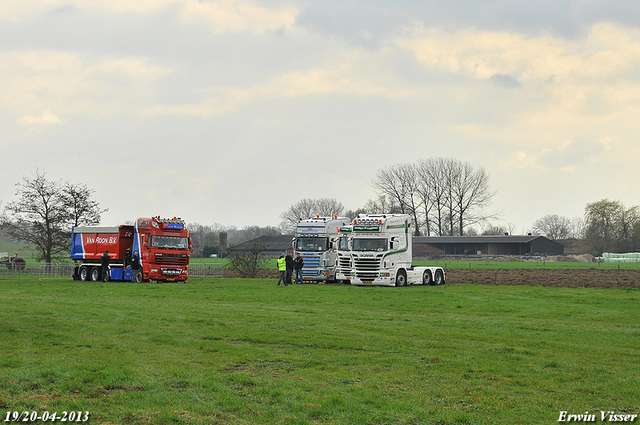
x,y
443,197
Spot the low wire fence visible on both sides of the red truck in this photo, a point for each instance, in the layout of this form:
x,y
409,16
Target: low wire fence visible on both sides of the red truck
x,y
65,271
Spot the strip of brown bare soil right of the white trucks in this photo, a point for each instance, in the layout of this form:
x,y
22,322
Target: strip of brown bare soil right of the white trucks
x,y
572,278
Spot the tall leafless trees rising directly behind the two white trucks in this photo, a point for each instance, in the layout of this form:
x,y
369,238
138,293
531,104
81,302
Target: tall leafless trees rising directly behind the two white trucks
x,y
443,196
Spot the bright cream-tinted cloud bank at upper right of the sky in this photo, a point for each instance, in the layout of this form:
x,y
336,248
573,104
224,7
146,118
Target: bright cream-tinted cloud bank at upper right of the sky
x,y
607,50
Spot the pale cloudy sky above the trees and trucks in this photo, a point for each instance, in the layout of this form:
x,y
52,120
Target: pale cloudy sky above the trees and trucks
x,y
230,112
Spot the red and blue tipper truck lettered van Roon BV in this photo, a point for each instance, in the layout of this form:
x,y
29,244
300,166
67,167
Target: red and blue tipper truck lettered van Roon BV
x,y
161,244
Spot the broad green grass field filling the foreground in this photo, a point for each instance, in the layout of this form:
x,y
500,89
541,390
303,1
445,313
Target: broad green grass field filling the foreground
x,y
234,351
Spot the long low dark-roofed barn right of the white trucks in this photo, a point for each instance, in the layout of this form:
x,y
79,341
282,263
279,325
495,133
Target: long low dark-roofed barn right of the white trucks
x,y
425,246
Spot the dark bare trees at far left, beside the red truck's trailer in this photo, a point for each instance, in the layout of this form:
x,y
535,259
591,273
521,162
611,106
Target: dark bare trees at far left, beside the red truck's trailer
x,y
44,213
